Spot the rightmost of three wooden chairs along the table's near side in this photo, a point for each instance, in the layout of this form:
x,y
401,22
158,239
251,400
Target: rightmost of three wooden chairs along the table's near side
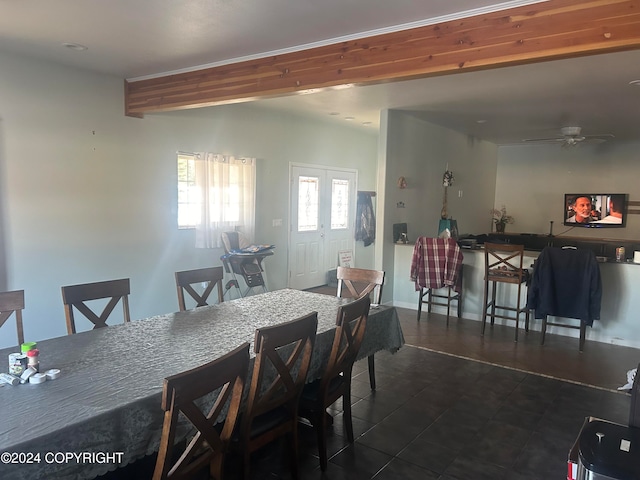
x,y
336,379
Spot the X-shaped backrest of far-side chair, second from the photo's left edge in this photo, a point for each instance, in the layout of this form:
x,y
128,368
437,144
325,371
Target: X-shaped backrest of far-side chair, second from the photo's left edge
x,y
77,295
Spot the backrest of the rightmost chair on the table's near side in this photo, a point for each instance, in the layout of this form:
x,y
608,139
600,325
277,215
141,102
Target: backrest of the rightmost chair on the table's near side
x,y
351,323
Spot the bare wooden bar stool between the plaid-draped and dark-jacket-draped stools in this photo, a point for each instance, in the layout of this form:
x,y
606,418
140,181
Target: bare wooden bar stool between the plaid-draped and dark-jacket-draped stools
x,y
503,264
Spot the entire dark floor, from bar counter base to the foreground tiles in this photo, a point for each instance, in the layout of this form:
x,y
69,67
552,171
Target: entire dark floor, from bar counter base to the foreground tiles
x,y
453,405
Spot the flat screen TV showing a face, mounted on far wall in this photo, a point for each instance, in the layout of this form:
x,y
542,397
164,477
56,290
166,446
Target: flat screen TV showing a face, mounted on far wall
x,y
595,210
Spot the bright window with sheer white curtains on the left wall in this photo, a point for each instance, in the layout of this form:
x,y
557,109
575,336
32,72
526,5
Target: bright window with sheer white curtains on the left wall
x,y
216,194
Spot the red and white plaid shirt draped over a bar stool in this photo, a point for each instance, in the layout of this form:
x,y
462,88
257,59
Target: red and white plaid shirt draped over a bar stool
x,y
436,263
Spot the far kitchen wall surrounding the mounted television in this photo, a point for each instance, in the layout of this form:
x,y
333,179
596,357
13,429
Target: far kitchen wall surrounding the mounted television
x,y
532,181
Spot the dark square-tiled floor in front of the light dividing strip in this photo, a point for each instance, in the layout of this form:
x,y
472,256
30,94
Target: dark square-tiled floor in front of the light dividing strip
x,y
443,417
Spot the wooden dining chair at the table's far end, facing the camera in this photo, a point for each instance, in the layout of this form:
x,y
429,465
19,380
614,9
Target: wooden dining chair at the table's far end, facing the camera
x,y
360,282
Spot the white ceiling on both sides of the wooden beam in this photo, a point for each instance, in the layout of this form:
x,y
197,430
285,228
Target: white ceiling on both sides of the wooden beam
x,y
144,38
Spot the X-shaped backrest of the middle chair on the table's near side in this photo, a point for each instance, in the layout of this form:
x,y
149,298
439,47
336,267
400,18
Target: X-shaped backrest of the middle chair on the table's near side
x,y
279,373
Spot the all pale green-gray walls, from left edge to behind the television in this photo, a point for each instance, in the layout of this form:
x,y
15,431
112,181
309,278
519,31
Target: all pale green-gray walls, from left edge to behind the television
x,y
87,194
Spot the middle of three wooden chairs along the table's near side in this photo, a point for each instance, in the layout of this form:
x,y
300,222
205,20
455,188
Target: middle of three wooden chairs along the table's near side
x,y
283,355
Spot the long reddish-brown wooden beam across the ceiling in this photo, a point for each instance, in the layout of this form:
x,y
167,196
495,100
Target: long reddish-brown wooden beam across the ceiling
x,y
544,31
